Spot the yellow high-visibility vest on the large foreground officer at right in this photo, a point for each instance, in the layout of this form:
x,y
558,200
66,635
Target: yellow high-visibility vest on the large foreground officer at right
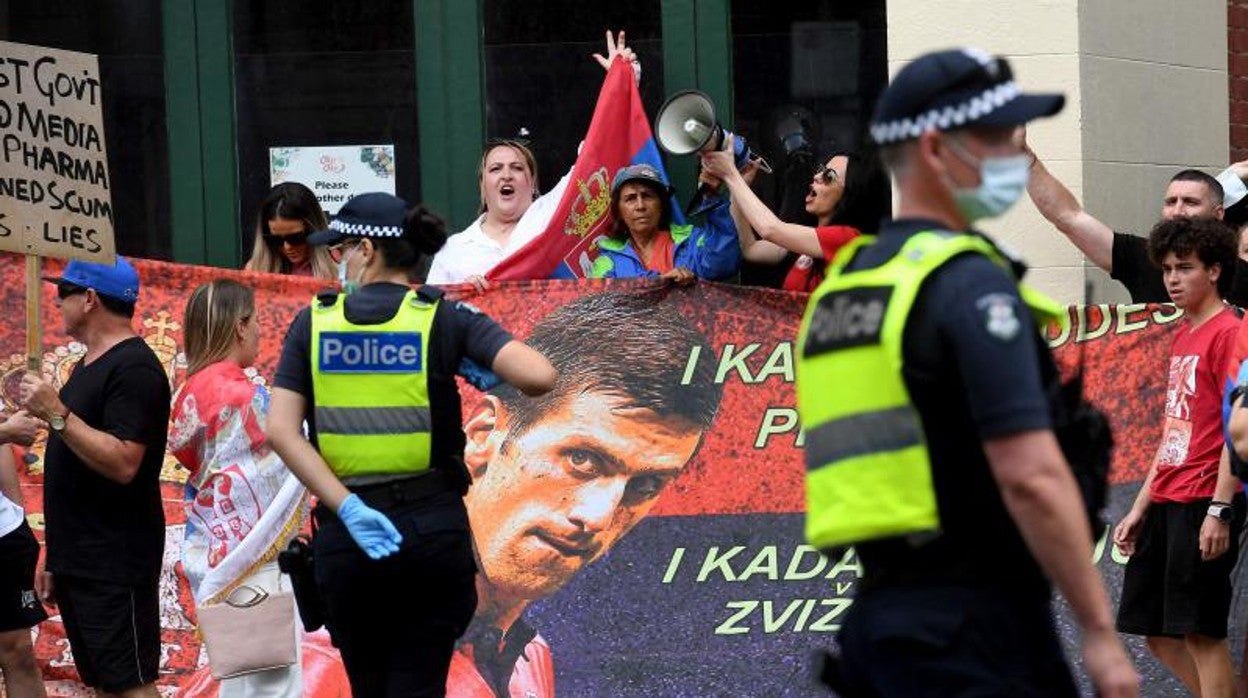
x,y
868,468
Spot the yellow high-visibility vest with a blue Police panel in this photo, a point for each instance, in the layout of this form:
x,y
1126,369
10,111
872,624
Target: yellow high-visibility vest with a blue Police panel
x,y
370,384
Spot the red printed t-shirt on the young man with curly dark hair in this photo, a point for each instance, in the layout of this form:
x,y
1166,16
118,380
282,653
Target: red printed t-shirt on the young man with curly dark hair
x,y
1191,448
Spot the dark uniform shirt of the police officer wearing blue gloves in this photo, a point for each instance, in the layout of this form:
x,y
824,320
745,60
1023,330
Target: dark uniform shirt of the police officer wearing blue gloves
x,y
459,332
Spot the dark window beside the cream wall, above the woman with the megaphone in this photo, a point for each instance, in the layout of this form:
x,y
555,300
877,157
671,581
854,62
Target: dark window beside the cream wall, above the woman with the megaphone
x,y
808,72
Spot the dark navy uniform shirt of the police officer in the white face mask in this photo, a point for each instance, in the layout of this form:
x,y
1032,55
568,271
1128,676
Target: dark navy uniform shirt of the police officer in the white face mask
x,y
973,366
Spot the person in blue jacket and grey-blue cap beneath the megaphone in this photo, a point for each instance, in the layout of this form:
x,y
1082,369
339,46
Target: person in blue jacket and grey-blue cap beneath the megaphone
x,y
645,243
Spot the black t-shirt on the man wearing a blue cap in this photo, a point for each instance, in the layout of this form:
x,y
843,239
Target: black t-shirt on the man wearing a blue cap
x,y
97,528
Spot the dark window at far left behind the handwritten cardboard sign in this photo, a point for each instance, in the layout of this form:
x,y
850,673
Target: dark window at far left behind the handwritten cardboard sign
x,y
128,39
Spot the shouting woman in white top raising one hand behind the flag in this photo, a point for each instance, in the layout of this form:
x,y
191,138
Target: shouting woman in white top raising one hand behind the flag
x,y
512,212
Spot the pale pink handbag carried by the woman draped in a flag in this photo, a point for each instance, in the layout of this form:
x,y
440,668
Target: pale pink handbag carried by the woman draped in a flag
x,y
250,631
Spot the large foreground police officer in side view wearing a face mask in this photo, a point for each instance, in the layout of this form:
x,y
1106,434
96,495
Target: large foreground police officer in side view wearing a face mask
x,y
929,435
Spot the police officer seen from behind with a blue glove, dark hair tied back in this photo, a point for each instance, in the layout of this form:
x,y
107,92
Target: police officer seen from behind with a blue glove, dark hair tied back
x,y
373,371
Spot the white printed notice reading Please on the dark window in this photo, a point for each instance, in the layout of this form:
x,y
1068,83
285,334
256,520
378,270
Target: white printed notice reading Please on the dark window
x,y
335,174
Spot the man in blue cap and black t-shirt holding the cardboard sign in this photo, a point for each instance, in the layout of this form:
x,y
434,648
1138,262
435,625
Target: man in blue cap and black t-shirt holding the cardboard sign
x,y
105,526
